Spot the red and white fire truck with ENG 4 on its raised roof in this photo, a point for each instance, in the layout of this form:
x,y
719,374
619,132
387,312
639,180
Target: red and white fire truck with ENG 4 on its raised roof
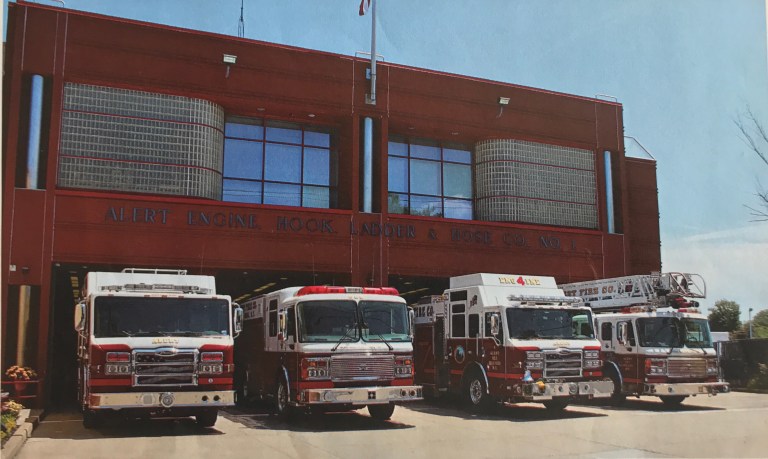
x,y
507,338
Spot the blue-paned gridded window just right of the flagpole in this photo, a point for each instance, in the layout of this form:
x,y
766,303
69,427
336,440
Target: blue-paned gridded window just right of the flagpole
x,y
426,178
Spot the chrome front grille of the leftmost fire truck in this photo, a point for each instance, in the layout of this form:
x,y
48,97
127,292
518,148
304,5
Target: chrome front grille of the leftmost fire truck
x,y
167,367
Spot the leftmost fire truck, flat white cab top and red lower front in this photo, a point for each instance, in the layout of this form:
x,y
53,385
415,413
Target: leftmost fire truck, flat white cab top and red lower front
x,y
152,343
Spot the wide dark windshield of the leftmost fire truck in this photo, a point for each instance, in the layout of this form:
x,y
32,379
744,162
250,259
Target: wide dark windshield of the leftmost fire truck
x,y
116,316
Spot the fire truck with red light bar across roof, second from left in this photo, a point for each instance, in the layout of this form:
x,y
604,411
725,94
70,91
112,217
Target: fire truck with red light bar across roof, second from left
x,y
327,348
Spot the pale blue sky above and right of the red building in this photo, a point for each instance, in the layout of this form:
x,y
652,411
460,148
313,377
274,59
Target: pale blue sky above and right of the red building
x,y
683,70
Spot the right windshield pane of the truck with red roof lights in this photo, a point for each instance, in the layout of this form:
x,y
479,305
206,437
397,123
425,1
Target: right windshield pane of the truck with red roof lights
x,y
385,321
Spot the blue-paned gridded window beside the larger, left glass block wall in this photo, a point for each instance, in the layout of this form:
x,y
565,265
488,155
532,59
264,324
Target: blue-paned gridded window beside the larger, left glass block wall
x,y
268,162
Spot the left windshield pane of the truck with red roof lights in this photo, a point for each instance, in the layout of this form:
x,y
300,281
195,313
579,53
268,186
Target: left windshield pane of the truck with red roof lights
x,y
327,320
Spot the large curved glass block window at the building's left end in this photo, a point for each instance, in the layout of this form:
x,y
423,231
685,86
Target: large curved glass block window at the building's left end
x,y
140,142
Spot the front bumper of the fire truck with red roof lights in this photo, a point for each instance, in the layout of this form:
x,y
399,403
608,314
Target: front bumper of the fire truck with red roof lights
x,y
360,395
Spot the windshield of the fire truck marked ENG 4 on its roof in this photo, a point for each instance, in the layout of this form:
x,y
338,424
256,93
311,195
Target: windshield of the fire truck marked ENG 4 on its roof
x,y
531,323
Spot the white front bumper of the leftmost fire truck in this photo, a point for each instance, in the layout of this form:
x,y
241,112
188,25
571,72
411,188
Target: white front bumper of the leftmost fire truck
x,y
197,399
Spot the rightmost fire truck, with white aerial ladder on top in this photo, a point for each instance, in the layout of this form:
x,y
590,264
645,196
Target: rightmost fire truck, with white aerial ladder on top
x,y
655,340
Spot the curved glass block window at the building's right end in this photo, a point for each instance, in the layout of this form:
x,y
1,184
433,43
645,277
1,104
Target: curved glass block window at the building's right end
x,y
529,182
